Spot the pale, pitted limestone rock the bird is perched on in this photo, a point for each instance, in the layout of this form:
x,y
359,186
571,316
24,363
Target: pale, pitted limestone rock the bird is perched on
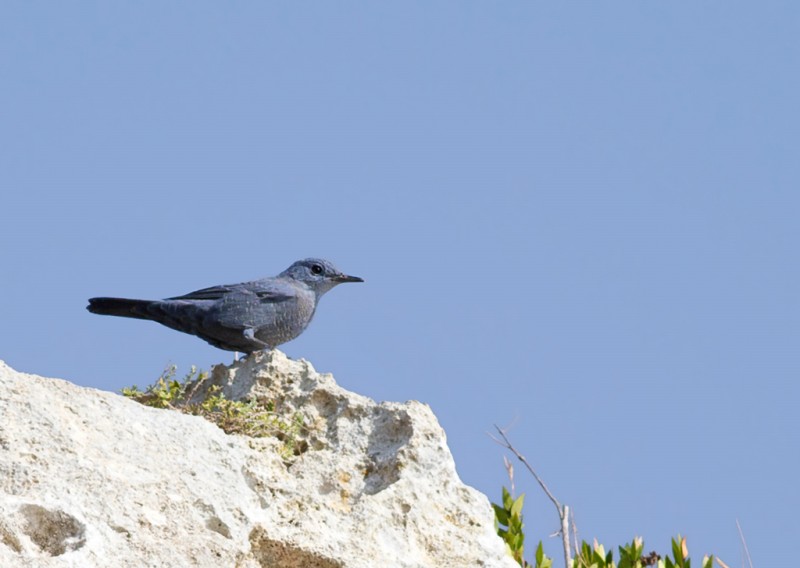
x,y
90,478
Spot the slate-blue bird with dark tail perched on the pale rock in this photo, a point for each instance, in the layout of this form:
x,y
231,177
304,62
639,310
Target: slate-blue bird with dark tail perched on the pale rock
x,y
251,316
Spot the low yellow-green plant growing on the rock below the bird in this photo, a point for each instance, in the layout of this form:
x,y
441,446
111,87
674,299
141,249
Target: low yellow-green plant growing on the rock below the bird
x,y
247,418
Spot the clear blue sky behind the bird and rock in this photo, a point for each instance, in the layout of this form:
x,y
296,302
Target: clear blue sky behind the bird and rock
x,y
579,217
